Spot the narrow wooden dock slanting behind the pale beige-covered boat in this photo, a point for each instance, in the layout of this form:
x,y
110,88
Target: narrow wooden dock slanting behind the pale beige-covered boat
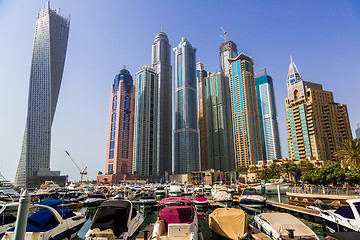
x,y
295,210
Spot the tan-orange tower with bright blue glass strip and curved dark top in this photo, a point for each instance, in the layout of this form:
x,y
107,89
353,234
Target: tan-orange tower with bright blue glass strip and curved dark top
x,y
245,116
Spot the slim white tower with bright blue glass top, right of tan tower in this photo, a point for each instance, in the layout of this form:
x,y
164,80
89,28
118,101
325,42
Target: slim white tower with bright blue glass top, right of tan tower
x,y
267,115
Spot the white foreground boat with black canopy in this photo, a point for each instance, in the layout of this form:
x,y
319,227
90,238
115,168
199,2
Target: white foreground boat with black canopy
x,y
115,219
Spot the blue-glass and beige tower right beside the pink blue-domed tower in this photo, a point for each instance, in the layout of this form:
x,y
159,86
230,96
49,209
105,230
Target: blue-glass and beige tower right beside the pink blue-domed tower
x,y
145,154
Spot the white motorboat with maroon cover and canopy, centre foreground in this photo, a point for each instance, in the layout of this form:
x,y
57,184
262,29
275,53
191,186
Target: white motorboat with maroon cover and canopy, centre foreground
x,y
177,220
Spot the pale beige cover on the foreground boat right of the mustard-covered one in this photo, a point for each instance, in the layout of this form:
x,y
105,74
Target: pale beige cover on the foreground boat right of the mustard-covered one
x,y
282,221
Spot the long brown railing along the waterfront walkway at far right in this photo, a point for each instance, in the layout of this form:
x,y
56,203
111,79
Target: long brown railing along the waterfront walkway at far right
x,y
322,190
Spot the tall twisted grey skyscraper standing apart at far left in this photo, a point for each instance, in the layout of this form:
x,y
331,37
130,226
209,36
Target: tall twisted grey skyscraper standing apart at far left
x,y
50,43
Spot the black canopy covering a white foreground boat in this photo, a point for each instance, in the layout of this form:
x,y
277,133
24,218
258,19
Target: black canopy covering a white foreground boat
x,y
112,215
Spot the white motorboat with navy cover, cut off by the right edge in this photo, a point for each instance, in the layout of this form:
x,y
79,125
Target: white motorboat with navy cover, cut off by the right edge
x,y
343,219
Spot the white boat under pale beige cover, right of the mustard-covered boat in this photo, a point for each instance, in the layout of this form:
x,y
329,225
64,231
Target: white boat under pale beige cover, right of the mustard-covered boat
x,y
283,226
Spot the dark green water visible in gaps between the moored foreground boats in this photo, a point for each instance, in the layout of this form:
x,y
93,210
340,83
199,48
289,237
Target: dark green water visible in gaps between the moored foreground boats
x,y
151,215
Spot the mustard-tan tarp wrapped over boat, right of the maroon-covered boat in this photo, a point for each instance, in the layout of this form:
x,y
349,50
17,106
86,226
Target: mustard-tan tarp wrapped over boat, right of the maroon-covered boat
x,y
228,222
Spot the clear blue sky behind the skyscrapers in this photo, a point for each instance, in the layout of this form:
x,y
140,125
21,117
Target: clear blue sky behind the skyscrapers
x,y
322,36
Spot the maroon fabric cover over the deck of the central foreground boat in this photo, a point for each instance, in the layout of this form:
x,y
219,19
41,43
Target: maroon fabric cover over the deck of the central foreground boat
x,y
176,214
